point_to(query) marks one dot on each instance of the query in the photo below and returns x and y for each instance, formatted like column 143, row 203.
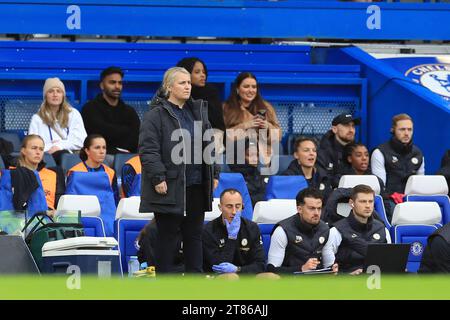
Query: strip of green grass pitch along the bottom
column 312, row 287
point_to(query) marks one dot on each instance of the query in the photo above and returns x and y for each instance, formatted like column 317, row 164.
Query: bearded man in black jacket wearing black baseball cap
column 331, row 150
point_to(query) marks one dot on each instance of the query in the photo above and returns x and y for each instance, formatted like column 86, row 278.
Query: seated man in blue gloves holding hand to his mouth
column 232, row 244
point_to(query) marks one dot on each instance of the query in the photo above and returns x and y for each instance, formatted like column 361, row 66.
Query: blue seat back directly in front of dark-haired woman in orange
column 95, row 183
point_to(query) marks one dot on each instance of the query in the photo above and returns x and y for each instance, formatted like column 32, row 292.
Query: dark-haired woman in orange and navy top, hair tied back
column 92, row 157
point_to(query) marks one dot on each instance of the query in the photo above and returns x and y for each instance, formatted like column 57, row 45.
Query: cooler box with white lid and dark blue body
column 92, row 255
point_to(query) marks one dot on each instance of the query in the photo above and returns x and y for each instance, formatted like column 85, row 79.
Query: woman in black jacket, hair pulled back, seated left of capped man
column 305, row 165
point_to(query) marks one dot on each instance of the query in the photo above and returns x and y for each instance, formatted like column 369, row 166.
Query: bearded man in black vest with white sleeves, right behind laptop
column 350, row 237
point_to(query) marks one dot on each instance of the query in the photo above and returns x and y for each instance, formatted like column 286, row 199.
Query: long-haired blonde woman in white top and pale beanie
column 57, row 122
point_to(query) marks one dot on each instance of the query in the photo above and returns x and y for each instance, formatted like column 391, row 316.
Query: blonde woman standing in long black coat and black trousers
column 177, row 184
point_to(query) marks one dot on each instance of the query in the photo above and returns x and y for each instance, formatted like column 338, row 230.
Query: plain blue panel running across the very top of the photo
column 228, row 19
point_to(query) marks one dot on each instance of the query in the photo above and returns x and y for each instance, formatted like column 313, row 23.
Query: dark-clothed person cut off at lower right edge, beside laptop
column 436, row 257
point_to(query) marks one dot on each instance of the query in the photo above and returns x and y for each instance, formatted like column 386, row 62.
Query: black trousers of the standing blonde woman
column 190, row 226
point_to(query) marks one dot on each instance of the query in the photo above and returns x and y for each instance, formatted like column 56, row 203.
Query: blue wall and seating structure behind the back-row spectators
column 306, row 96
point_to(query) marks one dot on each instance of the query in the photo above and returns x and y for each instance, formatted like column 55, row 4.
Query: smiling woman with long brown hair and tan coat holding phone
column 246, row 110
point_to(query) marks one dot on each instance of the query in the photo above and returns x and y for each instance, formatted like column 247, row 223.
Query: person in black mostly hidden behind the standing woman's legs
column 146, row 243
